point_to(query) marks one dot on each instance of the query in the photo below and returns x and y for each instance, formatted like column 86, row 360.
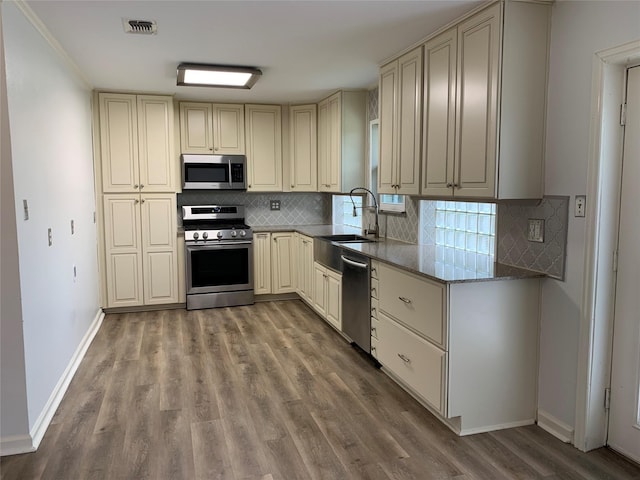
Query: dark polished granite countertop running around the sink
column 439, row 263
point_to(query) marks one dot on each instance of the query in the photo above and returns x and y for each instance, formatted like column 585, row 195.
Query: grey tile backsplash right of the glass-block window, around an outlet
column 514, row 248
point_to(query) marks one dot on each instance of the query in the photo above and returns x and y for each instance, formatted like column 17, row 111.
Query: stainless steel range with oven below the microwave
column 218, row 256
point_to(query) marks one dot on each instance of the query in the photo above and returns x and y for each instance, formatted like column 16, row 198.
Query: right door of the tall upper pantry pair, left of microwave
column 155, row 144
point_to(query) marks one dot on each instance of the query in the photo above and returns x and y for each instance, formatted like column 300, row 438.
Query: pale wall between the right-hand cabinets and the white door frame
column 579, row 29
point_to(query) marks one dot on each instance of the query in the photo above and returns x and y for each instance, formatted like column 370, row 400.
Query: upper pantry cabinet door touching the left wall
column 119, row 142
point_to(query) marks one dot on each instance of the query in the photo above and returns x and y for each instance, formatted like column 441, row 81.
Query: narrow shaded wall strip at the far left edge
column 13, row 387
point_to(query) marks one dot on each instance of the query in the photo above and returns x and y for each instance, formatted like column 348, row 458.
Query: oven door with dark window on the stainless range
column 219, row 268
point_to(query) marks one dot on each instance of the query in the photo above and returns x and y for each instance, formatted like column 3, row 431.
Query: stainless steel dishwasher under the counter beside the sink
column 356, row 298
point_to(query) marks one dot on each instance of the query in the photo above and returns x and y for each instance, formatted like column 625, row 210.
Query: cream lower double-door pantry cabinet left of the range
column 141, row 249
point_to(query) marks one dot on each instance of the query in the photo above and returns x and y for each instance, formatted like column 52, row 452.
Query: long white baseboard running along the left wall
column 44, row 419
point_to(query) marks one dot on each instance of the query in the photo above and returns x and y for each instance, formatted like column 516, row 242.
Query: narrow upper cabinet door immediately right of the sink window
column 388, row 125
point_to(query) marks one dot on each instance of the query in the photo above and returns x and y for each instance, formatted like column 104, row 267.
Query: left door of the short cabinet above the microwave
column 196, row 129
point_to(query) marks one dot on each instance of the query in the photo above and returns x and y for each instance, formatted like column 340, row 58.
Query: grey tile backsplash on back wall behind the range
column 295, row 208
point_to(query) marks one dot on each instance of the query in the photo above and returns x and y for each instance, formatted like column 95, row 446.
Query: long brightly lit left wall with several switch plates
column 51, row 142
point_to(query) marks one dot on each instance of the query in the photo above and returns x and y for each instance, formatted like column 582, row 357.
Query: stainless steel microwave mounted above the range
column 214, row 172
